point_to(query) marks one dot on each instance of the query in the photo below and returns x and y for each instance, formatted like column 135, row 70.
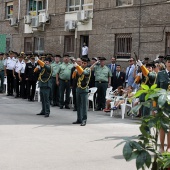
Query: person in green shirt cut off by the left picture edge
column 1, row 72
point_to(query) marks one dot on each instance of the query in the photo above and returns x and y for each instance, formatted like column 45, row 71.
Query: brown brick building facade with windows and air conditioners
column 109, row 28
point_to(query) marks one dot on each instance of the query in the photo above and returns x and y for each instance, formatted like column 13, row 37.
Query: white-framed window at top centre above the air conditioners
column 77, row 5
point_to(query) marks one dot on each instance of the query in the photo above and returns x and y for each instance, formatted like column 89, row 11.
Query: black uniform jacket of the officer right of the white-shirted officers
column 29, row 72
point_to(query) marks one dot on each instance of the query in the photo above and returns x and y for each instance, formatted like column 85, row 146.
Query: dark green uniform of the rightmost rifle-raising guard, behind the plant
column 148, row 80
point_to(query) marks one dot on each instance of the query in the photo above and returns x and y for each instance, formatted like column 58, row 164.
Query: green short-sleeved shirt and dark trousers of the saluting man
column 102, row 75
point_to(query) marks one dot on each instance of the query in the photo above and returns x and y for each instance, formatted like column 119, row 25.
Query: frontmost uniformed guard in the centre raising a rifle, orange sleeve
column 84, row 74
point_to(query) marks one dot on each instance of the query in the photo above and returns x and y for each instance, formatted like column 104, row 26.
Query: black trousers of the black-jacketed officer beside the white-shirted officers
column 30, row 84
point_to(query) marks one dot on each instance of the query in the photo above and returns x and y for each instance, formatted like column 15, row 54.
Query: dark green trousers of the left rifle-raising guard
column 45, row 99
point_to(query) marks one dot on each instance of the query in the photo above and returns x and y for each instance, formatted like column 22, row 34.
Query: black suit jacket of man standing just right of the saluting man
column 117, row 81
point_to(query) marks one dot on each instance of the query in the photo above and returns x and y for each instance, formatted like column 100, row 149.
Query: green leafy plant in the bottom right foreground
column 145, row 145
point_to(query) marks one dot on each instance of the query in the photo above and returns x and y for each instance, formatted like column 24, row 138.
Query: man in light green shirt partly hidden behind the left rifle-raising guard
column 55, row 88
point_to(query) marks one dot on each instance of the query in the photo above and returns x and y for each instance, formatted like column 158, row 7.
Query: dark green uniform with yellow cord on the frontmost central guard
column 82, row 95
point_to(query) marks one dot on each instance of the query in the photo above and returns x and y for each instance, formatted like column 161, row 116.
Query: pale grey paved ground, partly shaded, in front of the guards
column 30, row 142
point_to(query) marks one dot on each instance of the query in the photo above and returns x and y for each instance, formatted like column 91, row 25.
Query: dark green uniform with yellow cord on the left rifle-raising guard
column 45, row 85
